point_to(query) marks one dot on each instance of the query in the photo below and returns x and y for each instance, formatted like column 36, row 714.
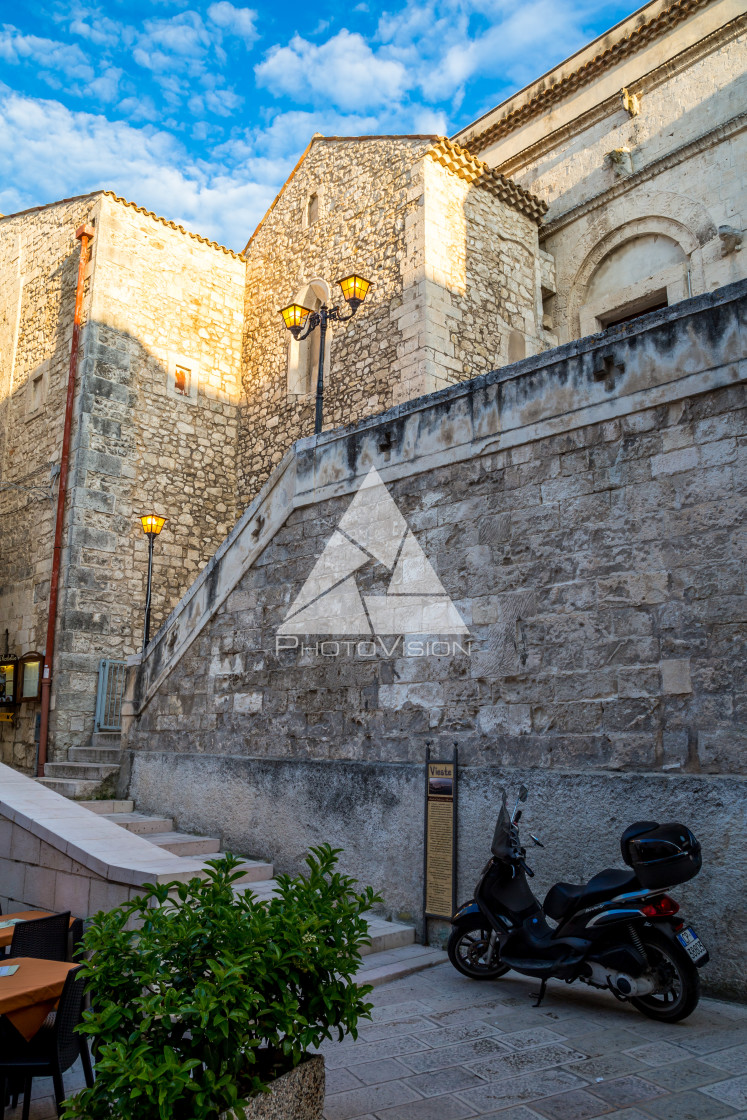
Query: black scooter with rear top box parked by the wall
column 619, row 931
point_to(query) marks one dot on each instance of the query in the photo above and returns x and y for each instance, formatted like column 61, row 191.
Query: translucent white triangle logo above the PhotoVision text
column 373, row 528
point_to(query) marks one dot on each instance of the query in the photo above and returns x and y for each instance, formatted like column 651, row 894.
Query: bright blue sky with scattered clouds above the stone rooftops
column 199, row 111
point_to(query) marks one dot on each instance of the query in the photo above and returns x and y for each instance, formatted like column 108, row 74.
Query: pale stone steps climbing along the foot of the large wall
column 393, row 953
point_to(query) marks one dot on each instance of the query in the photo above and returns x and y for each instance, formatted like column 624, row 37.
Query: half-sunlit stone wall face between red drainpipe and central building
column 161, row 300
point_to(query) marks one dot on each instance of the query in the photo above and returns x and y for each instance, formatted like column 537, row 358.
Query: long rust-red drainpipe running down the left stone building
column 85, row 236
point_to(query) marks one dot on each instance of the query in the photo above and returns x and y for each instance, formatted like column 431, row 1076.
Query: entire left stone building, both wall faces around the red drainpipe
column 156, row 298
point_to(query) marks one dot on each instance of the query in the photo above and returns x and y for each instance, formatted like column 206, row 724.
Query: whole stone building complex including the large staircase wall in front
column 566, row 279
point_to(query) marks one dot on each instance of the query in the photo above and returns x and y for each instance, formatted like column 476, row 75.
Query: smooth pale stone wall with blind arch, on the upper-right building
column 680, row 165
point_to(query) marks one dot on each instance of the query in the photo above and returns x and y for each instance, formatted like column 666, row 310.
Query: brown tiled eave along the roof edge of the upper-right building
column 624, row 49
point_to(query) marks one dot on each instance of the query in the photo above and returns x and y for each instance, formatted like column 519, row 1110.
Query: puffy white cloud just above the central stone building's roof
column 343, row 72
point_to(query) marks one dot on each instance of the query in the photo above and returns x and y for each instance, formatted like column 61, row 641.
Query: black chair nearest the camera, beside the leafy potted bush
column 54, row 1049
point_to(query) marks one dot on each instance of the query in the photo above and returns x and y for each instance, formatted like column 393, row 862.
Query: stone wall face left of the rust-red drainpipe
column 39, row 275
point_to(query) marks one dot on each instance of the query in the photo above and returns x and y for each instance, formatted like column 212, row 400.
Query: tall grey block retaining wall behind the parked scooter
column 582, row 510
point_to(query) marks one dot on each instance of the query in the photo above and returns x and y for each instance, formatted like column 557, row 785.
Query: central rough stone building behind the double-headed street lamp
column 453, row 268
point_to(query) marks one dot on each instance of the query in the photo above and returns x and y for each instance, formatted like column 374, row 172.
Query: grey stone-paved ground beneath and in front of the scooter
column 445, row 1048
